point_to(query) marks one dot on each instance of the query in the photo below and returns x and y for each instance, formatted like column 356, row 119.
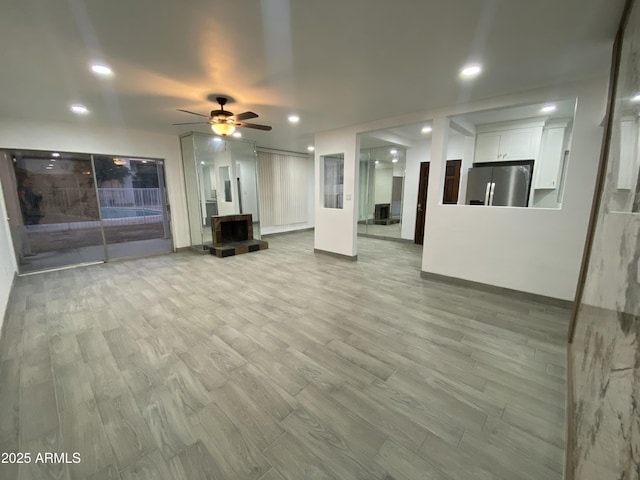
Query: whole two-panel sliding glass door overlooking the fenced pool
column 69, row 209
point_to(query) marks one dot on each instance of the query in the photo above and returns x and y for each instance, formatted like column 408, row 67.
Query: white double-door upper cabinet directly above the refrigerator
column 508, row 145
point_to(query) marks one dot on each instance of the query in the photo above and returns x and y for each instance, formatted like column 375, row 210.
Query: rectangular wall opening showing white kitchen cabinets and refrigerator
column 511, row 157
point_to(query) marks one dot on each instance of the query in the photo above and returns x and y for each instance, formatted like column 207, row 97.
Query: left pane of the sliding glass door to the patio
column 56, row 220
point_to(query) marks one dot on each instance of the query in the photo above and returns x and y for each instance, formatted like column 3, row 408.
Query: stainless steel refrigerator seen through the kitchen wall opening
column 499, row 184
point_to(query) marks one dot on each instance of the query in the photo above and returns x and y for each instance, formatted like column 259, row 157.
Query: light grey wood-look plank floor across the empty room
column 279, row 364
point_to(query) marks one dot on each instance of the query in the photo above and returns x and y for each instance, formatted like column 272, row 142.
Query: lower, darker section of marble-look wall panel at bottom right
column 606, row 356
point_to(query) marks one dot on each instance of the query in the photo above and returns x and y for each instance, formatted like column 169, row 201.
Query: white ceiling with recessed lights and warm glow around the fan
column 333, row 62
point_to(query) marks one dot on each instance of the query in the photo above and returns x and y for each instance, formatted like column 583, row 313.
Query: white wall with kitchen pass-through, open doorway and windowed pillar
column 532, row 250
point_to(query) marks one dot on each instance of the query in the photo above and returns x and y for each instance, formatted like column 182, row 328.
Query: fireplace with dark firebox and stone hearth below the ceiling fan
column 233, row 235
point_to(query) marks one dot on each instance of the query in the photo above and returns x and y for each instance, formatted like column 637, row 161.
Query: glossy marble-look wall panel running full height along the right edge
column 606, row 346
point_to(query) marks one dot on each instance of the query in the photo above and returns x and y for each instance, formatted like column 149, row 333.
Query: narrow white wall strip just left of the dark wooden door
column 421, row 152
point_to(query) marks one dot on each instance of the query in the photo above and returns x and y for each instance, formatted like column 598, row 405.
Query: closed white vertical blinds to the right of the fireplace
column 283, row 182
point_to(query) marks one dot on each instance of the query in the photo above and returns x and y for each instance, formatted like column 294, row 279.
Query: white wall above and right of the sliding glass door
column 78, row 137
